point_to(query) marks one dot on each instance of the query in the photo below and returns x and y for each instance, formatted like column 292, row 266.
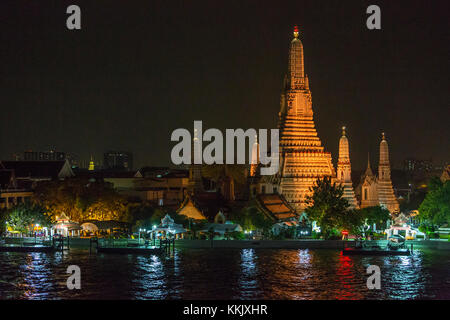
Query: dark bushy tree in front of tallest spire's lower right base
column 327, row 207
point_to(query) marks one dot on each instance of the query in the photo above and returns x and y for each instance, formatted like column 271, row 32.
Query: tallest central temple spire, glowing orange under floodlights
column 302, row 157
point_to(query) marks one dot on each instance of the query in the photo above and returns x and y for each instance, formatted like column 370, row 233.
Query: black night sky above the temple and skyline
column 140, row 69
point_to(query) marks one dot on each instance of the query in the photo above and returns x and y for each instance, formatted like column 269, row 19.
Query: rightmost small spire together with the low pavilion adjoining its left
column 374, row 190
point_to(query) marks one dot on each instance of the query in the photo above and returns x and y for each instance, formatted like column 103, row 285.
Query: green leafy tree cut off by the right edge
column 435, row 208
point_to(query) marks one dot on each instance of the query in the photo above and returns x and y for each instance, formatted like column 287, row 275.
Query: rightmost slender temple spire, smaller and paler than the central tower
column 386, row 194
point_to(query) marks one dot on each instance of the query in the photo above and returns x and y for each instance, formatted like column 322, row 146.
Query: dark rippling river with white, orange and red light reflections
column 224, row 274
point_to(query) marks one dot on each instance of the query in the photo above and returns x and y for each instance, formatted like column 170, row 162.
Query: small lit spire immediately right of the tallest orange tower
column 344, row 171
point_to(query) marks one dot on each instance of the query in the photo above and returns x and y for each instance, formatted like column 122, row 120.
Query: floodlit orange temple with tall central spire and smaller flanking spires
column 302, row 157
